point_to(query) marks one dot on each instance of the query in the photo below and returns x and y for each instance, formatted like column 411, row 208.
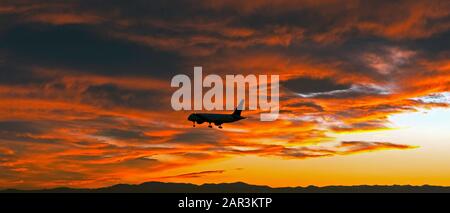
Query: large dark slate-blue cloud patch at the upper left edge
column 78, row 47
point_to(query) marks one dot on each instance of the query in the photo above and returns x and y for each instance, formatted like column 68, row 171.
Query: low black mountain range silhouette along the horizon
column 238, row 187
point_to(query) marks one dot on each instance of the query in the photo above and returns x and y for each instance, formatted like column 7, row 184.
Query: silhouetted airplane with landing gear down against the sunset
column 217, row 119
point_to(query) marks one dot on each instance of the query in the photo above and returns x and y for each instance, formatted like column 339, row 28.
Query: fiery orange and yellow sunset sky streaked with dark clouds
column 85, row 92
